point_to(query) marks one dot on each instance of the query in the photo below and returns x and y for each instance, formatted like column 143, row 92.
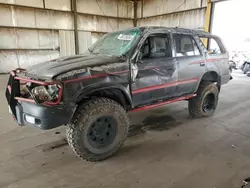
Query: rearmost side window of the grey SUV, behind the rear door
column 213, row 47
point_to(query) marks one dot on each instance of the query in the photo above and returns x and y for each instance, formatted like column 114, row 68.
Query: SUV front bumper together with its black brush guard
column 28, row 112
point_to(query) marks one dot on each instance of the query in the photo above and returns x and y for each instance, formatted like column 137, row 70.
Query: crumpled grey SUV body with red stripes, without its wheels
column 135, row 79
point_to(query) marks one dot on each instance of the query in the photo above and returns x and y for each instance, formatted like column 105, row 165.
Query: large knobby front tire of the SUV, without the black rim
column 86, row 114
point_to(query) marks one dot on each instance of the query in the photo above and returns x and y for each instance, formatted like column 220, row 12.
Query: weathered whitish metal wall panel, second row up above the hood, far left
column 14, row 38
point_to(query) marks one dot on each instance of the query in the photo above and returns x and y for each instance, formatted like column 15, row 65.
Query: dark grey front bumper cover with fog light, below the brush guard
column 45, row 117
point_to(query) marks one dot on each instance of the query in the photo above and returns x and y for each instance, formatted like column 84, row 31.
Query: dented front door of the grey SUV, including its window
column 155, row 74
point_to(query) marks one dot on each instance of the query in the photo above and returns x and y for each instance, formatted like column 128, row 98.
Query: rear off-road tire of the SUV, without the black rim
column 195, row 105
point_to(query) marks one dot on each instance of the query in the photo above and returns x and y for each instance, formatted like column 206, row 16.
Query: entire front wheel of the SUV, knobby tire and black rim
column 98, row 129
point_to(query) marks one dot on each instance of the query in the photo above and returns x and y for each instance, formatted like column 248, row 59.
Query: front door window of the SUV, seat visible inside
column 156, row 46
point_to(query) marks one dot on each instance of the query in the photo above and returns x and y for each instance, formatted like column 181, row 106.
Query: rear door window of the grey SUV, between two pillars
column 185, row 46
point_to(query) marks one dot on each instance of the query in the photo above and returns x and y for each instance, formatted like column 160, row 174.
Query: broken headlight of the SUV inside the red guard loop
column 46, row 93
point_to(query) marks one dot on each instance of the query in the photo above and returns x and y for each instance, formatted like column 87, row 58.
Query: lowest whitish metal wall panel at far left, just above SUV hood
column 10, row 60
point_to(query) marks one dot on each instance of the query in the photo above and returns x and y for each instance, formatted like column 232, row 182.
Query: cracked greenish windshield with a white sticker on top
column 116, row 43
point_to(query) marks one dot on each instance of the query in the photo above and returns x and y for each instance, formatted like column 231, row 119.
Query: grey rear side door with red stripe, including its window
column 191, row 63
